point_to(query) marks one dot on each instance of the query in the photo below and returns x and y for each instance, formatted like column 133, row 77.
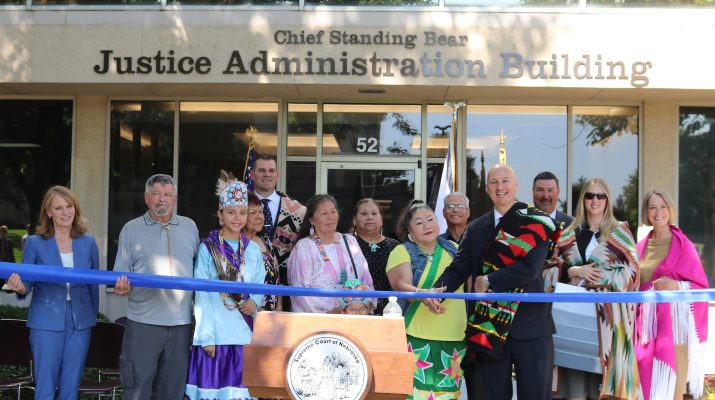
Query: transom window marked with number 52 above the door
column 386, row 130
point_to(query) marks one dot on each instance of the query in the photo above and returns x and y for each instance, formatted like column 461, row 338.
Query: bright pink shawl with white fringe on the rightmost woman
column 659, row 326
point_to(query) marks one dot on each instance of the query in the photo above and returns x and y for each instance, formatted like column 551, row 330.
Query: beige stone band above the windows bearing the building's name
column 65, row 46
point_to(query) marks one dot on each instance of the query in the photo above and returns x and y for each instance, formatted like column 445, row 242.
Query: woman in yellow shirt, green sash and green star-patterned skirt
column 437, row 340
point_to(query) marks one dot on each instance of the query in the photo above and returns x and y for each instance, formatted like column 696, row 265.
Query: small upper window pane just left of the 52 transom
column 302, row 129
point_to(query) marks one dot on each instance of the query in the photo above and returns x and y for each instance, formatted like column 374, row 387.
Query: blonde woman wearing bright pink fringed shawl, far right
column 670, row 337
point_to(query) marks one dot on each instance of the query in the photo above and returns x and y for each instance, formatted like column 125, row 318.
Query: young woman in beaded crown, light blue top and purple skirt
column 224, row 321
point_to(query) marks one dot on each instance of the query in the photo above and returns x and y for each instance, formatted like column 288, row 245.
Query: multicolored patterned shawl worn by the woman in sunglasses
column 618, row 259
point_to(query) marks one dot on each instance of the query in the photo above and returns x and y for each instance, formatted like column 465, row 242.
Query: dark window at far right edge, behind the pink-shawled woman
column 696, row 214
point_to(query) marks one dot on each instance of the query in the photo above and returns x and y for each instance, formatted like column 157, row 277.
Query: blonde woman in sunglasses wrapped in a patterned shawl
column 599, row 251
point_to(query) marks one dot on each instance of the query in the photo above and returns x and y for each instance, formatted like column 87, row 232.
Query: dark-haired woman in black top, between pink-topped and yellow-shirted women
column 367, row 220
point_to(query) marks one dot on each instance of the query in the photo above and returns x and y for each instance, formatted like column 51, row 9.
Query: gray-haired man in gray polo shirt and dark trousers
column 157, row 337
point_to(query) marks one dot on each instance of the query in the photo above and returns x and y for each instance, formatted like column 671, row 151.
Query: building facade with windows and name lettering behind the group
column 351, row 99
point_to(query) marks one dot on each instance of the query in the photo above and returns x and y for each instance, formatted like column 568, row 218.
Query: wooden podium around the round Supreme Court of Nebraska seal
column 276, row 334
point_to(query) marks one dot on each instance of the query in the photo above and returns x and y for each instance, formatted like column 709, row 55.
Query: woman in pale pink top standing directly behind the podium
column 324, row 258
